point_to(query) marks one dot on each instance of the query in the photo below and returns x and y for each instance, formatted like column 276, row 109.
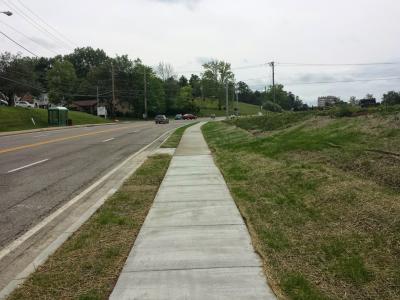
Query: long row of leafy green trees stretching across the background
column 88, row 73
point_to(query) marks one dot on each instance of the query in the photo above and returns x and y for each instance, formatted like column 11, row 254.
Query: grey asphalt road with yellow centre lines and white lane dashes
column 41, row 171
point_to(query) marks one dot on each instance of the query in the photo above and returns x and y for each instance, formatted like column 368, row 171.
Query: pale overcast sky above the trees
column 311, row 41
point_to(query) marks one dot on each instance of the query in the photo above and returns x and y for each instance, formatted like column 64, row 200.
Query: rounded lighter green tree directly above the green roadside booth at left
column 61, row 81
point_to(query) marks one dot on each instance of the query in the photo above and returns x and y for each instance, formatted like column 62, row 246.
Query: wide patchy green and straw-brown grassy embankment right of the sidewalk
column 321, row 197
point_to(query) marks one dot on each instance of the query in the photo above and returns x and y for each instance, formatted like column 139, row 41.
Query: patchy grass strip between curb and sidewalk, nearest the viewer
column 88, row 264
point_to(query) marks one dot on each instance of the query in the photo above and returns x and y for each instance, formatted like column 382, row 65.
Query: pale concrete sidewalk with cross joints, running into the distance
column 193, row 244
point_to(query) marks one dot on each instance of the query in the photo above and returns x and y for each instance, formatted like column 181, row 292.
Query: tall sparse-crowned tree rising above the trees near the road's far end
column 216, row 75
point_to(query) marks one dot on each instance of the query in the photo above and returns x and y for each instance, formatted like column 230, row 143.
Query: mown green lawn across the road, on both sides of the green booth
column 18, row 118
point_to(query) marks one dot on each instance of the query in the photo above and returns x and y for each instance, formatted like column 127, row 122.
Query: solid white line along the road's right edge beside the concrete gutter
column 16, row 243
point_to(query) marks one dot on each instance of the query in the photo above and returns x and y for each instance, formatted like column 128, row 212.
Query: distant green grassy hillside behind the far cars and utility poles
column 209, row 107
